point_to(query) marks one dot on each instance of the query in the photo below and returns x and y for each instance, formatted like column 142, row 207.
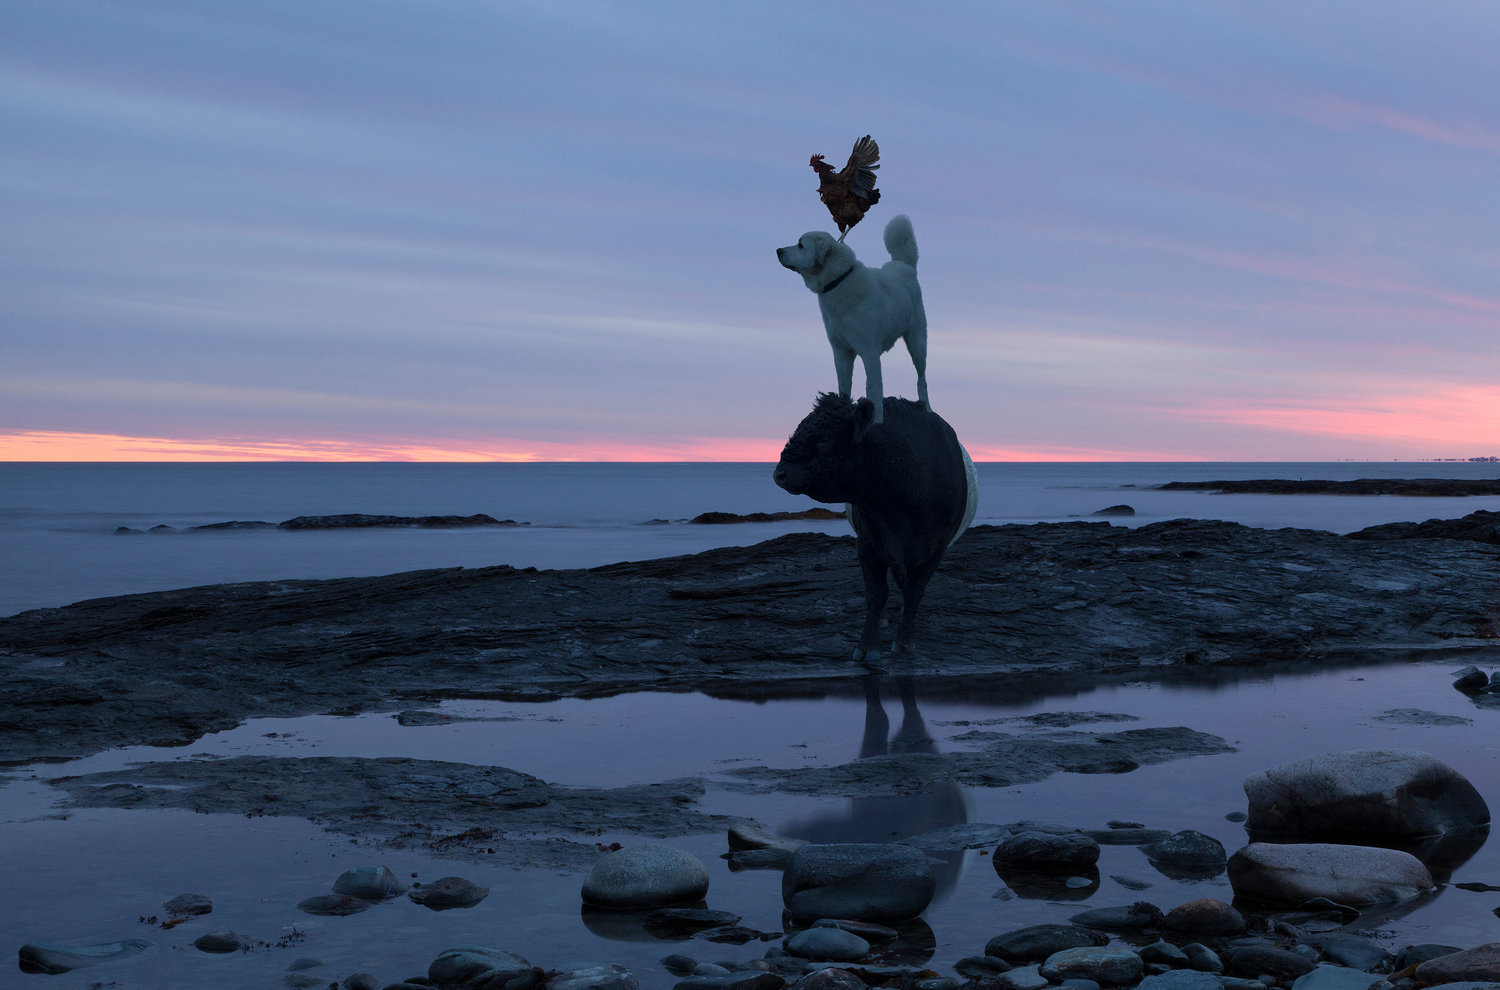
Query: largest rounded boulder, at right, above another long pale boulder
column 1393, row 794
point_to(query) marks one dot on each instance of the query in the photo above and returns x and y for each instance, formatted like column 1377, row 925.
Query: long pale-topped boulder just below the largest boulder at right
column 1294, row 874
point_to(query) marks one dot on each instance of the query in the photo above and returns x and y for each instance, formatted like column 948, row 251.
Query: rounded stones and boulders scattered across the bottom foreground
column 854, row 910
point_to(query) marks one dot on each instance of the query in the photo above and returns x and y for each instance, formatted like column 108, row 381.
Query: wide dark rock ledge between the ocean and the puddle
column 1037, row 604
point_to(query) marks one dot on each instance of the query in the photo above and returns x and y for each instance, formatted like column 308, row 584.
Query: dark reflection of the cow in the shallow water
column 893, row 818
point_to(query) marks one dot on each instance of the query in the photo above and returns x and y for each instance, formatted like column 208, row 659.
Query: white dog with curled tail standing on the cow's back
column 866, row 311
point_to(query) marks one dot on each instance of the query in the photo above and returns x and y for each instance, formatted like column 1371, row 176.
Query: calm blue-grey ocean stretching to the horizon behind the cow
column 59, row 545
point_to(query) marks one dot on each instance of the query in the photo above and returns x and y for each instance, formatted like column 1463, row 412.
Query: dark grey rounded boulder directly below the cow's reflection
column 862, row 881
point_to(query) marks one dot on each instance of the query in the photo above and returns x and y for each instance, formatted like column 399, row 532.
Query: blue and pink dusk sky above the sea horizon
column 497, row 230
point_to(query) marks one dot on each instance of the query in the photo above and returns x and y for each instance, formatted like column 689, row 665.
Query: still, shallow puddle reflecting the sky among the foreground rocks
column 89, row 875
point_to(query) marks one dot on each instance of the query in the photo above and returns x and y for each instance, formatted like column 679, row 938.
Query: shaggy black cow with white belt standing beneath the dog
column 910, row 488
